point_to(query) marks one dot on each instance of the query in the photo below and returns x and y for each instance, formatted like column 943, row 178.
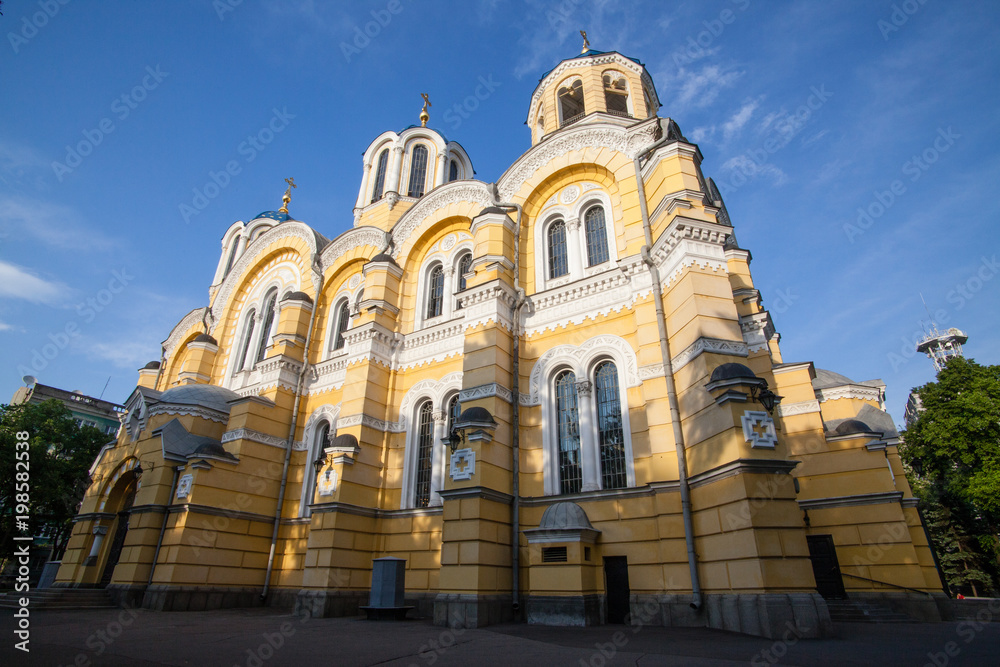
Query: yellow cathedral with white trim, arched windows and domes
column 556, row 398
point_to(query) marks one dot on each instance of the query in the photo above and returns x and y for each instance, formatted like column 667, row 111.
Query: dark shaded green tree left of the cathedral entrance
column 61, row 454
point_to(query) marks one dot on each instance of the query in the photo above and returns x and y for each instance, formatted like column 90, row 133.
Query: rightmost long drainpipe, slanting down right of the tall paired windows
column 661, row 323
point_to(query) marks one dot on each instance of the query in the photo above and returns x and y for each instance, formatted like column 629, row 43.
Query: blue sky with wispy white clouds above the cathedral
column 116, row 115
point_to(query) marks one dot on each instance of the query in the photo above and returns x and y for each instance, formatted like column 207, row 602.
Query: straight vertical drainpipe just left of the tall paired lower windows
column 516, row 401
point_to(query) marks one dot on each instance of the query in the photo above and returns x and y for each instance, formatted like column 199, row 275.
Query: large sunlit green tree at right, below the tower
column 953, row 452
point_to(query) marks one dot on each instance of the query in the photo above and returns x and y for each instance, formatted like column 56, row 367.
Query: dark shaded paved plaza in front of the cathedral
column 267, row 637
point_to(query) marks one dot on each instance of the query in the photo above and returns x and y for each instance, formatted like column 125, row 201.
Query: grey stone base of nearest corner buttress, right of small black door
column 771, row 615
